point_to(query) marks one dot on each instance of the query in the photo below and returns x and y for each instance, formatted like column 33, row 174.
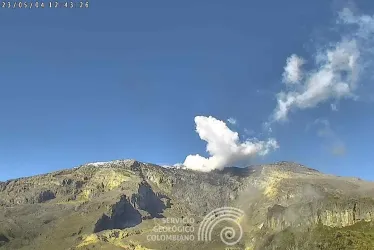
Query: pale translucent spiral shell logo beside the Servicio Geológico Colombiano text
column 229, row 235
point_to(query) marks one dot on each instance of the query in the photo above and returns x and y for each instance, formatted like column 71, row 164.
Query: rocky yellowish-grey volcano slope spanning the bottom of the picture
column 119, row 204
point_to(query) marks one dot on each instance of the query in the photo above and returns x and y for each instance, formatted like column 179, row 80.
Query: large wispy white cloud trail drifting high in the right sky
column 337, row 71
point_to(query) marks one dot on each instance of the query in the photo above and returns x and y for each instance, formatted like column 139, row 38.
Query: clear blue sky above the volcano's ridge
column 126, row 79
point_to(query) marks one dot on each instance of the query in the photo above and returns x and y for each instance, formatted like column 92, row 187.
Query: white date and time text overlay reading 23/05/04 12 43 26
column 44, row 4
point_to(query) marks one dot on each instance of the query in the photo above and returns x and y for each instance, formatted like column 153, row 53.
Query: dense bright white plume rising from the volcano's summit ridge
column 224, row 147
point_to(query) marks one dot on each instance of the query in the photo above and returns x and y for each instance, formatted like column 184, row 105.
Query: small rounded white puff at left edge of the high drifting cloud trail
column 292, row 71
